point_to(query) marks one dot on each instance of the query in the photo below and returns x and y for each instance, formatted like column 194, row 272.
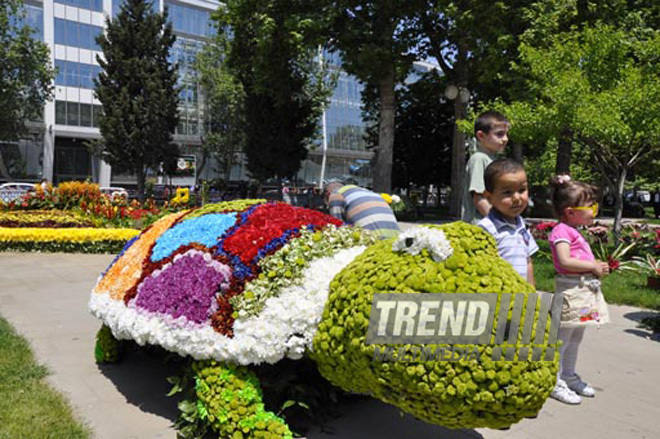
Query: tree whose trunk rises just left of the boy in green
column 474, row 42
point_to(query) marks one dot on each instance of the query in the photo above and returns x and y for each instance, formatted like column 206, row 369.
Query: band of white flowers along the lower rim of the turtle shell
column 285, row 327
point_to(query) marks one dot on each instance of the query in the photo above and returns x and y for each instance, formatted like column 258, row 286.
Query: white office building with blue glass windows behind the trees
column 56, row 146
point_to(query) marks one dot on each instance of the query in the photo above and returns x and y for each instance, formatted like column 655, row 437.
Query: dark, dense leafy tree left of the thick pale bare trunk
column 273, row 55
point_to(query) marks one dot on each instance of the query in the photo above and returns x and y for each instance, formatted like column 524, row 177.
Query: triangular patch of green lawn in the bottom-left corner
column 29, row 407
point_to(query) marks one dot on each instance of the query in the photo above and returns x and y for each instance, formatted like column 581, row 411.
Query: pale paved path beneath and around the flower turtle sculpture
column 44, row 296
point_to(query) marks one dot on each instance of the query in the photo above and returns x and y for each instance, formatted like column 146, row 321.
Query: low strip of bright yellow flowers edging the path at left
column 71, row 240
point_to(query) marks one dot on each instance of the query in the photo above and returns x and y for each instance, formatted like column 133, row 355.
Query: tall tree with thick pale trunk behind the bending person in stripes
column 377, row 44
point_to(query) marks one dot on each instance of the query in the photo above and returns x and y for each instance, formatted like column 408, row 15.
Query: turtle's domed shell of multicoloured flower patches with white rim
column 179, row 283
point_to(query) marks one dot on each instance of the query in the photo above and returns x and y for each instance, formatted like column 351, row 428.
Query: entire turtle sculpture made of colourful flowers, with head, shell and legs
column 247, row 282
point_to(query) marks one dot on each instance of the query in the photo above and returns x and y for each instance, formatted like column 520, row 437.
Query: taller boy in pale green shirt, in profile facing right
column 491, row 130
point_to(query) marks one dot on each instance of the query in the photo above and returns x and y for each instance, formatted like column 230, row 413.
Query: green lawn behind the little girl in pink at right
column 620, row 288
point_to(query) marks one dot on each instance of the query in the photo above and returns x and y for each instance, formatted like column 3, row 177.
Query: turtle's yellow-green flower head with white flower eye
column 470, row 393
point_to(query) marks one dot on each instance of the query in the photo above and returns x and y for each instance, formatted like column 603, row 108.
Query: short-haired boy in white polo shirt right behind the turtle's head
column 507, row 191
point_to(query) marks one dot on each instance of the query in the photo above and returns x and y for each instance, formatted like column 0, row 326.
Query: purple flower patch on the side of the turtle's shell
column 185, row 287
